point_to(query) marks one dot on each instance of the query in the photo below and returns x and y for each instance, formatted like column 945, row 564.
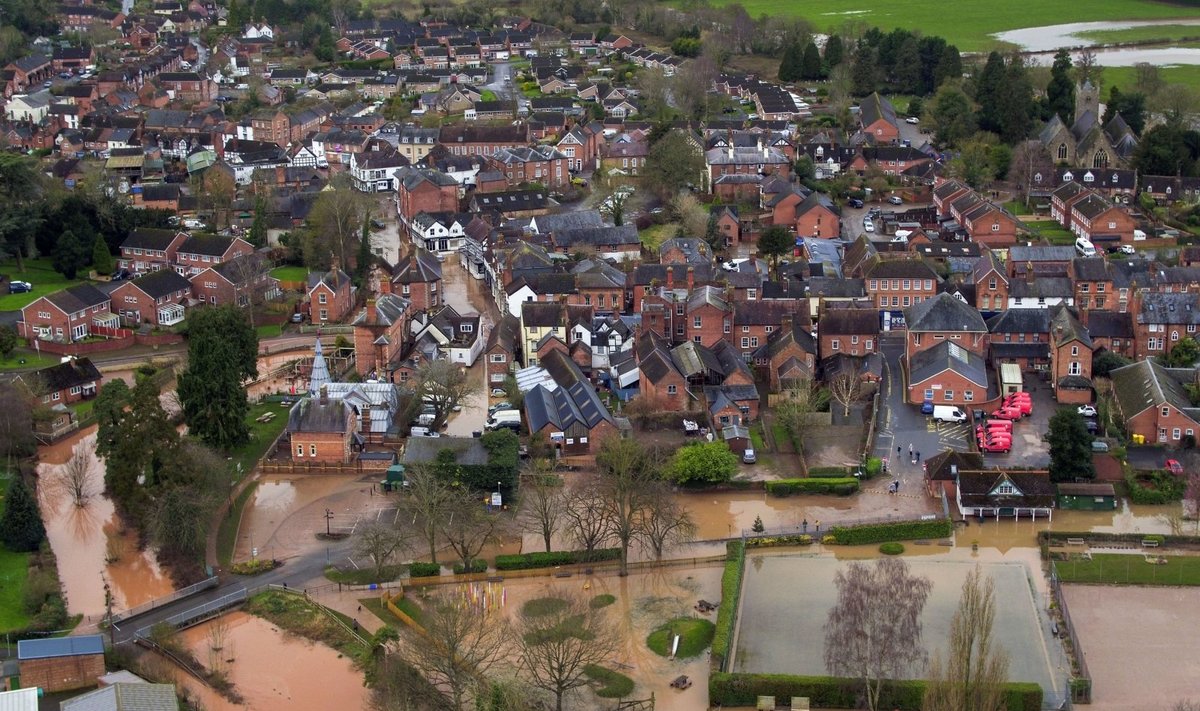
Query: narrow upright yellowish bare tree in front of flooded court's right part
column 975, row 672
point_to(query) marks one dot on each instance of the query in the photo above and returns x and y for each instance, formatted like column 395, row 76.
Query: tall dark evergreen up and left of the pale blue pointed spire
column 223, row 352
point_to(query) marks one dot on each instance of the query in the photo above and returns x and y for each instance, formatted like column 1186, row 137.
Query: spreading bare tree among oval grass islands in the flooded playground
column 556, row 648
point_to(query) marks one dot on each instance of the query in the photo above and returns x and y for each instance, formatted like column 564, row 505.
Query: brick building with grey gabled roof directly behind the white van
column 947, row 374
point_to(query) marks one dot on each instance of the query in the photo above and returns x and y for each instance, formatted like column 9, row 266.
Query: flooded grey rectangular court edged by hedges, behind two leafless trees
column 787, row 601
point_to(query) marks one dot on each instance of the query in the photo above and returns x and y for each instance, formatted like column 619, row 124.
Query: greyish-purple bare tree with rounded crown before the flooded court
column 874, row 631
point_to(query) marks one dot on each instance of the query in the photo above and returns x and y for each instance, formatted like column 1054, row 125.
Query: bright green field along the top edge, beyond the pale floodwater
column 969, row 23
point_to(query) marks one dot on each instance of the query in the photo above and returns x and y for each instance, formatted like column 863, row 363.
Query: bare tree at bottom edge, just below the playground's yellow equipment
column 461, row 644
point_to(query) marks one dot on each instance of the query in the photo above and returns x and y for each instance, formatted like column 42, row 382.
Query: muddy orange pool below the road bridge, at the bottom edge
column 251, row 652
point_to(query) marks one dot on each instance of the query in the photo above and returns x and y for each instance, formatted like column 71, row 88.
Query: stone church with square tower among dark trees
column 1088, row 144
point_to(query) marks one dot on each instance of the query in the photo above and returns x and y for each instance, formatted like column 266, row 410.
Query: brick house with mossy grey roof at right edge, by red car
column 1154, row 403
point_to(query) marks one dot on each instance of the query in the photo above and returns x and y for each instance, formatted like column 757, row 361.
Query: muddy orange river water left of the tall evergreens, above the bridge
column 86, row 537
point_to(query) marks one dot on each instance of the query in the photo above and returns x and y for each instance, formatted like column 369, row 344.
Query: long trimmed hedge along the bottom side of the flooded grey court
column 825, row 692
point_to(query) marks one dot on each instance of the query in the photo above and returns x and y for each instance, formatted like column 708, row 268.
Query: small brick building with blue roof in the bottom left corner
column 62, row 664
